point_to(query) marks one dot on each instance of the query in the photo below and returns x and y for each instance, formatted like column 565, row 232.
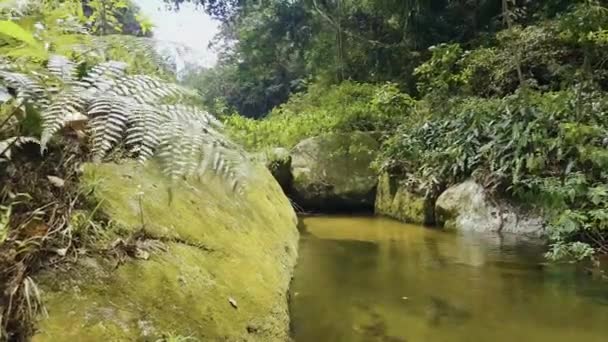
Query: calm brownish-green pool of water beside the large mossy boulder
column 373, row 279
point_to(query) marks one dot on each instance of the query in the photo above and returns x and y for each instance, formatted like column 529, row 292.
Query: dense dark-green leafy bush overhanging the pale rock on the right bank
column 543, row 148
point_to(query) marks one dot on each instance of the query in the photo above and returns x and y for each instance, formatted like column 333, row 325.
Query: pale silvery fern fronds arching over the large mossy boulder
column 137, row 113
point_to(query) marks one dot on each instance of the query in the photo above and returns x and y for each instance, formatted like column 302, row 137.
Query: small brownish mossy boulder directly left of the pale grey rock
column 396, row 200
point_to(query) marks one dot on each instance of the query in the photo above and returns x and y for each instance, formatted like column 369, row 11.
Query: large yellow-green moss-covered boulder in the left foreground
column 218, row 268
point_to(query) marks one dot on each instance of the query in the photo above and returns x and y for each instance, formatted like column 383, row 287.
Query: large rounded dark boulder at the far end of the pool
column 333, row 172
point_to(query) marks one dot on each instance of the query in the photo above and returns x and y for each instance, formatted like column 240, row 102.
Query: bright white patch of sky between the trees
column 187, row 32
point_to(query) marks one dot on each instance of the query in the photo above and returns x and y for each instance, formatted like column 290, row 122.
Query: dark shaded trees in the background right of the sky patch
column 272, row 49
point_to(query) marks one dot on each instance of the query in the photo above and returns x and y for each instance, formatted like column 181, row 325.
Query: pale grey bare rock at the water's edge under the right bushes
column 467, row 207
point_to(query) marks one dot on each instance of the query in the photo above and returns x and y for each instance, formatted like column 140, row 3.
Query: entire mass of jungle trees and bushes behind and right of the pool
column 511, row 92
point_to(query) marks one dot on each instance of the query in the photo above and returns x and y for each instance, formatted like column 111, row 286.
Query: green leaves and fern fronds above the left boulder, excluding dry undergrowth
column 144, row 115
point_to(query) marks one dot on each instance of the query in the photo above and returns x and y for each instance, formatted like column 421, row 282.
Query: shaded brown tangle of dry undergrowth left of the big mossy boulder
column 39, row 195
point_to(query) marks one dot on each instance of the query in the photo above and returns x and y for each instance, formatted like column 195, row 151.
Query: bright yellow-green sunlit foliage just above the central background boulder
column 344, row 108
